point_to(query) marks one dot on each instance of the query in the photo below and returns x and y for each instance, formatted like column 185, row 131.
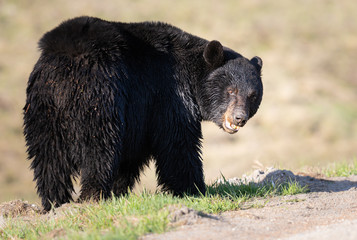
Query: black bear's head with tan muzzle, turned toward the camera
column 232, row 92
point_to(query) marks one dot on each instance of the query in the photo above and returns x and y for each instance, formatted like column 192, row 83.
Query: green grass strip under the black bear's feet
column 134, row 215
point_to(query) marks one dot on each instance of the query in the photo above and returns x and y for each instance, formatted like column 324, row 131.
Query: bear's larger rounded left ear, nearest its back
column 213, row 53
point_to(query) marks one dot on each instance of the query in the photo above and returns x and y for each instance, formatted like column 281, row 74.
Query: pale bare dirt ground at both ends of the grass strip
column 328, row 211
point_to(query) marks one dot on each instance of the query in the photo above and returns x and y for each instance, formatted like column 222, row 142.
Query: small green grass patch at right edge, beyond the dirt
column 343, row 169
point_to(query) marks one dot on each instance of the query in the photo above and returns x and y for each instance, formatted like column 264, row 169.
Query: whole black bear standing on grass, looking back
column 106, row 97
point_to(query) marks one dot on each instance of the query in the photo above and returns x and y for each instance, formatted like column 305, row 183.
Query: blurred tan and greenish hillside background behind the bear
column 308, row 117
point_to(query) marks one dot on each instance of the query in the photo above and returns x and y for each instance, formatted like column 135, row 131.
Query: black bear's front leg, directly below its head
column 178, row 161
